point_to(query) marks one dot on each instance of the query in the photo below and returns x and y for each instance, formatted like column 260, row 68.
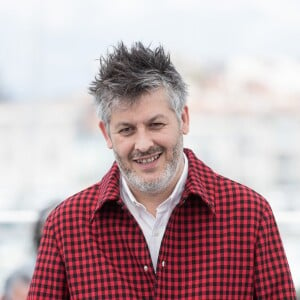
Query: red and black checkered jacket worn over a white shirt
column 221, row 242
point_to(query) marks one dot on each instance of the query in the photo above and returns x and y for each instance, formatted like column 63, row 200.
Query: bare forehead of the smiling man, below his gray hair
column 145, row 106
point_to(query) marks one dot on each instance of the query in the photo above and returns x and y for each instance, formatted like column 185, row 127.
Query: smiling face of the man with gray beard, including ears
column 147, row 141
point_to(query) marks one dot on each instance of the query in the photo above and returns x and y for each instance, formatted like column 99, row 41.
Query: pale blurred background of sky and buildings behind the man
column 241, row 60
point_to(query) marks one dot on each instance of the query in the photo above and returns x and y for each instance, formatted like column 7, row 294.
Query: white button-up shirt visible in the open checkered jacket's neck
column 154, row 227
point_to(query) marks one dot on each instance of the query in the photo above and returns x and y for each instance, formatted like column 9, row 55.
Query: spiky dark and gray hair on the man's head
column 127, row 73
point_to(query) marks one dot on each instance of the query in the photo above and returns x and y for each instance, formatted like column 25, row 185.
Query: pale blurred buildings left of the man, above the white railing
column 48, row 150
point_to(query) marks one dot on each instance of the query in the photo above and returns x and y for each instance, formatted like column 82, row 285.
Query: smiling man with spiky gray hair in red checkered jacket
column 160, row 224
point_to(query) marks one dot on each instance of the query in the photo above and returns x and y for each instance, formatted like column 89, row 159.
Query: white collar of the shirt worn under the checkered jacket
column 172, row 200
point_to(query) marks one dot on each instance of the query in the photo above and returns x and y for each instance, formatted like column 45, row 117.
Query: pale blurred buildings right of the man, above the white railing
column 245, row 112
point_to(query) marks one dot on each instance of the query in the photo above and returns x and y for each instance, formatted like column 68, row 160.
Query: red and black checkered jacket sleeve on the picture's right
column 272, row 274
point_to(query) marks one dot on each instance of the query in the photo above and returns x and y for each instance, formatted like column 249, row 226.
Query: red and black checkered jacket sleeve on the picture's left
column 49, row 278
